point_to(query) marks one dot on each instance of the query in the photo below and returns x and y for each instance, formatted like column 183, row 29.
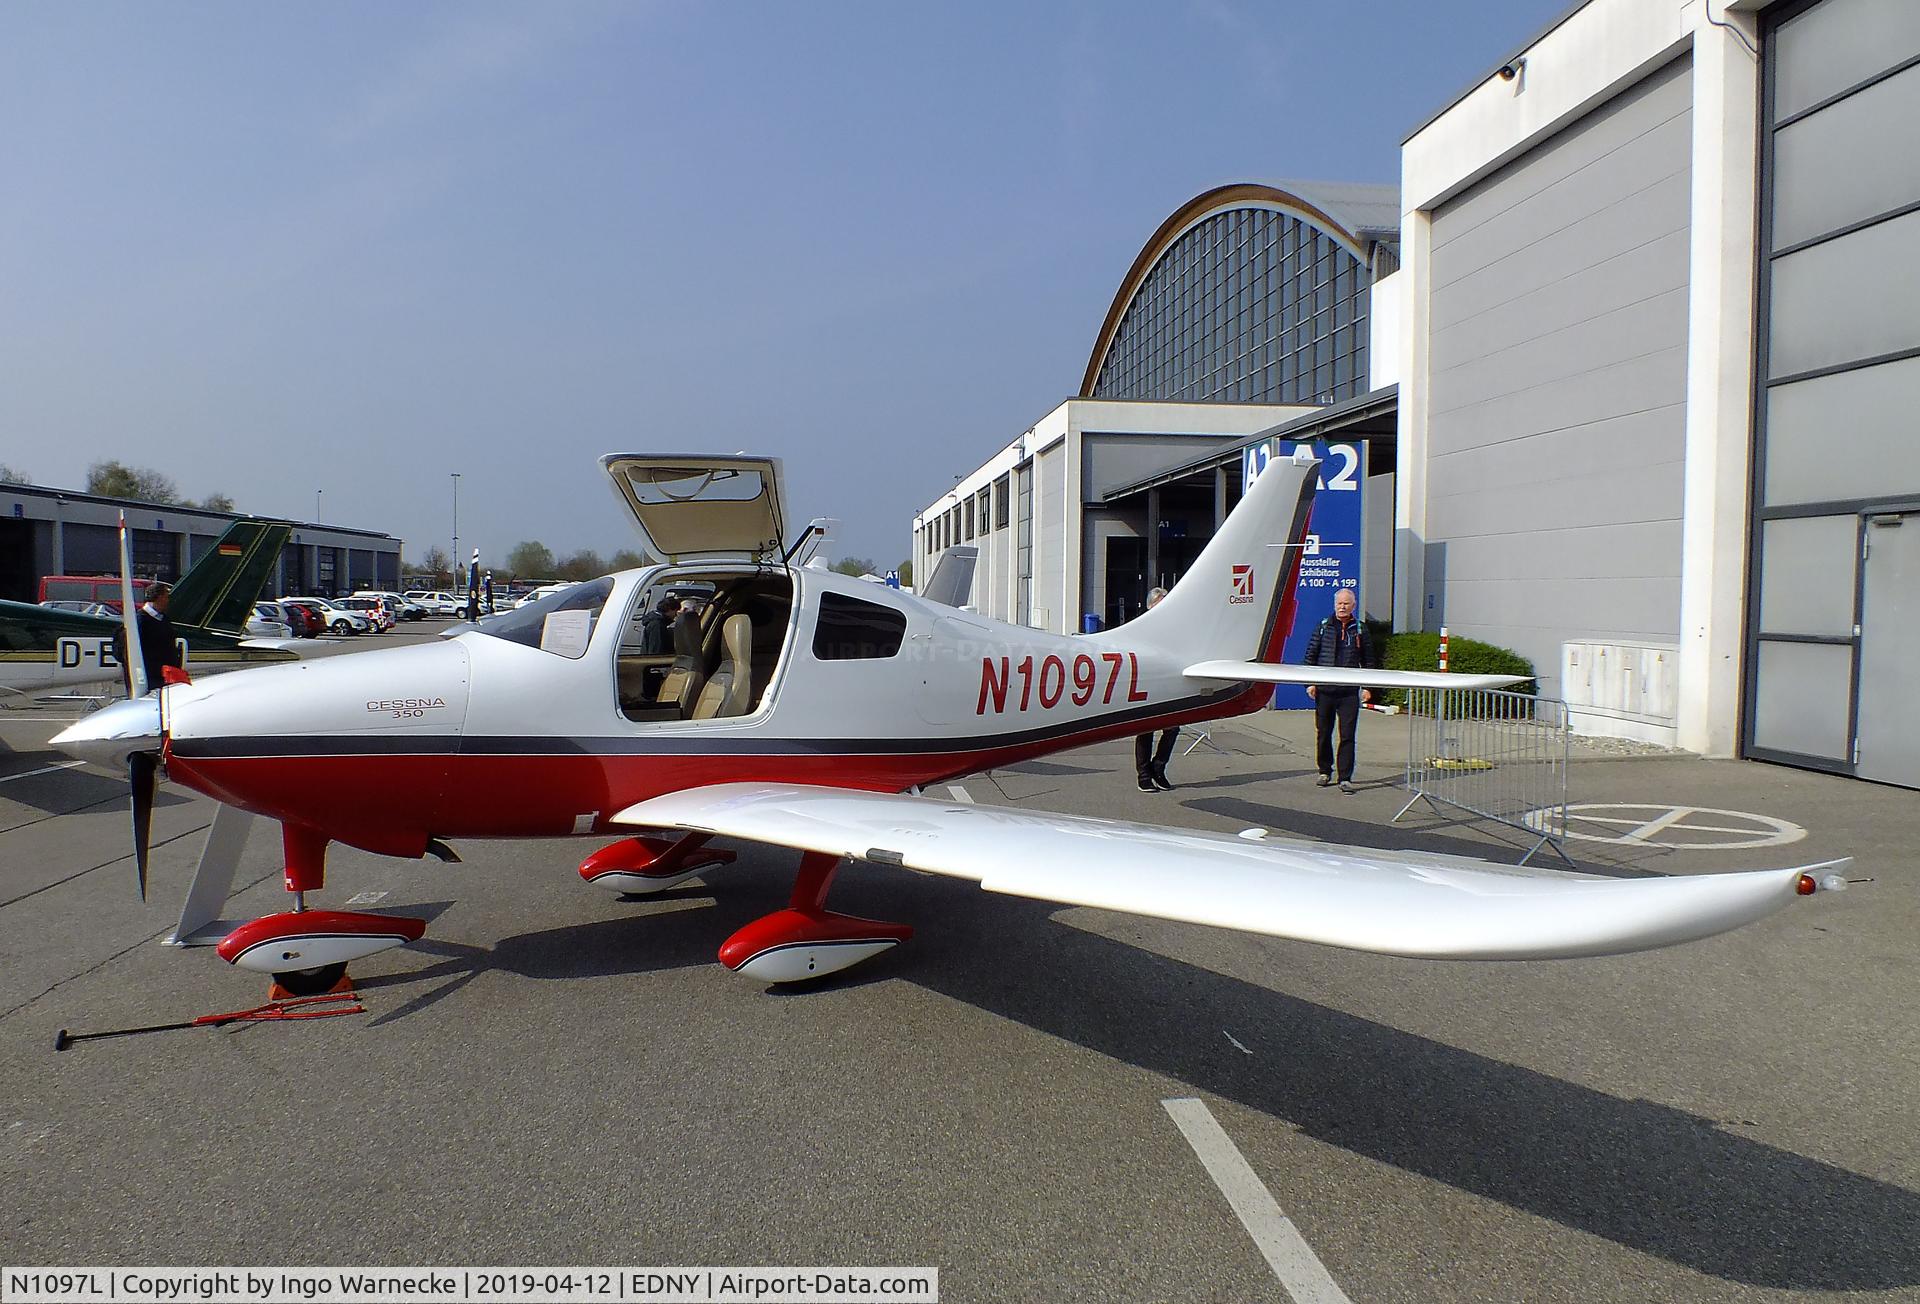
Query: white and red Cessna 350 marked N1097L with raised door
column 805, row 710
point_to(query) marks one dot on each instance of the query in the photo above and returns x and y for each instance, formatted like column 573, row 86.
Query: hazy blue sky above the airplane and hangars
column 358, row 247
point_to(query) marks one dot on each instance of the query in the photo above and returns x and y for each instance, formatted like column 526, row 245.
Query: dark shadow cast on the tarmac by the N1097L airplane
column 1643, row 1174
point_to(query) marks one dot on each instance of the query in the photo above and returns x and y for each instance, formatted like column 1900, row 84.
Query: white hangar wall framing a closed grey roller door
column 1575, row 431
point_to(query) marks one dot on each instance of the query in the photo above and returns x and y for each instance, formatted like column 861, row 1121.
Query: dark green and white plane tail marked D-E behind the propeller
column 45, row 650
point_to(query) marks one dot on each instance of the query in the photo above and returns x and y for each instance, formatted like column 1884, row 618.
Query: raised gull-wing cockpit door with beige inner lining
column 702, row 508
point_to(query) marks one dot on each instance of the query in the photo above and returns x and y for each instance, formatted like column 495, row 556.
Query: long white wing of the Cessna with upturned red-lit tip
column 1387, row 902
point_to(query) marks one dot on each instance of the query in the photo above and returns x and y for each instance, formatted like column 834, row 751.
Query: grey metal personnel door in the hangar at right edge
column 1890, row 633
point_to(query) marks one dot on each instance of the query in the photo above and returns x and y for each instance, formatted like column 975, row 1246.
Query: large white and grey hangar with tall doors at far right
column 1660, row 362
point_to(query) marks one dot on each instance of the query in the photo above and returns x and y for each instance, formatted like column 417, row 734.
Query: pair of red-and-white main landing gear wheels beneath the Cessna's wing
column 784, row 948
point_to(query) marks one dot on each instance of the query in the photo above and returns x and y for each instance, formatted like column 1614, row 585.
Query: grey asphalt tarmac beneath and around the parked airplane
column 556, row 1076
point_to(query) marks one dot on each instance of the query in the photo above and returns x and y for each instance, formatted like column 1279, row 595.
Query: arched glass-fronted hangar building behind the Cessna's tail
column 1253, row 306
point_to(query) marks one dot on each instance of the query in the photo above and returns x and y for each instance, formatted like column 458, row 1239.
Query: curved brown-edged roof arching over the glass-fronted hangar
column 1353, row 214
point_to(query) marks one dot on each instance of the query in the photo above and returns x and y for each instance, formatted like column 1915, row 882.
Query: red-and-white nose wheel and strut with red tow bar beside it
column 308, row 952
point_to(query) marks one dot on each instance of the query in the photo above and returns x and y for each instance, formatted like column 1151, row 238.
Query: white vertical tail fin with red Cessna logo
column 1237, row 600
